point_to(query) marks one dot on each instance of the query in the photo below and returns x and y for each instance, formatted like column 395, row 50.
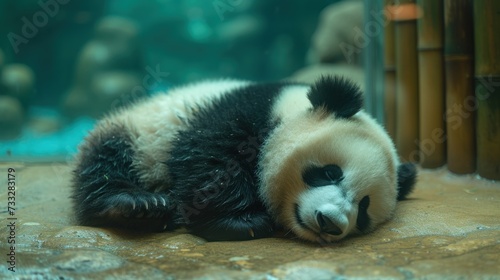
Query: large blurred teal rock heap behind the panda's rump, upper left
column 107, row 70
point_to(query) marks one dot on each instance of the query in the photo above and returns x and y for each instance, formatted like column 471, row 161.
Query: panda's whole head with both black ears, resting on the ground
column 330, row 170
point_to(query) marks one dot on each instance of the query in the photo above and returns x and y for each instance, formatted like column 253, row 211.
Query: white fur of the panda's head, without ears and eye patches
column 358, row 145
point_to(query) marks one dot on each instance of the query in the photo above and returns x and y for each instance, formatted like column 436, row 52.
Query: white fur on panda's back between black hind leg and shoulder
column 154, row 123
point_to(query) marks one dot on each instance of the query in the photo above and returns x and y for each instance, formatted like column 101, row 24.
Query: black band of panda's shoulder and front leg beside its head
column 213, row 166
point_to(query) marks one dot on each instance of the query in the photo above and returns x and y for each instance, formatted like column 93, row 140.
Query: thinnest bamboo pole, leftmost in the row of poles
column 389, row 73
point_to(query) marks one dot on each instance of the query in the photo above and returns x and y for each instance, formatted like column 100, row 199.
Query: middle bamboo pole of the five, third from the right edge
column 431, row 88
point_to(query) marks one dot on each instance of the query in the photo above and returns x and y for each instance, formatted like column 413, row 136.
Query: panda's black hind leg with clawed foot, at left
column 106, row 190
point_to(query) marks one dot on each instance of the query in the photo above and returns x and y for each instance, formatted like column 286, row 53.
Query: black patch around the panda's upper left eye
column 315, row 176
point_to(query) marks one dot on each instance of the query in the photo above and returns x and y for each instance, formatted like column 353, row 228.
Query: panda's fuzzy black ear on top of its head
column 337, row 94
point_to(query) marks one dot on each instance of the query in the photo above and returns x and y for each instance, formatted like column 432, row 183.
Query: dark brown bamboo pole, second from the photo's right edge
column 458, row 54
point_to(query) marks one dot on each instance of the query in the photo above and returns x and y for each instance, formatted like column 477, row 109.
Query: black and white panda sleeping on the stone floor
column 236, row 160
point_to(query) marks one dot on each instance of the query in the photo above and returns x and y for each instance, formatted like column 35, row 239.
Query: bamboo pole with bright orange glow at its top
column 406, row 80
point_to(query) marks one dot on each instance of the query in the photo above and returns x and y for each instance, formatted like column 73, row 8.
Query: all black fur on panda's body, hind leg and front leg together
column 212, row 169
